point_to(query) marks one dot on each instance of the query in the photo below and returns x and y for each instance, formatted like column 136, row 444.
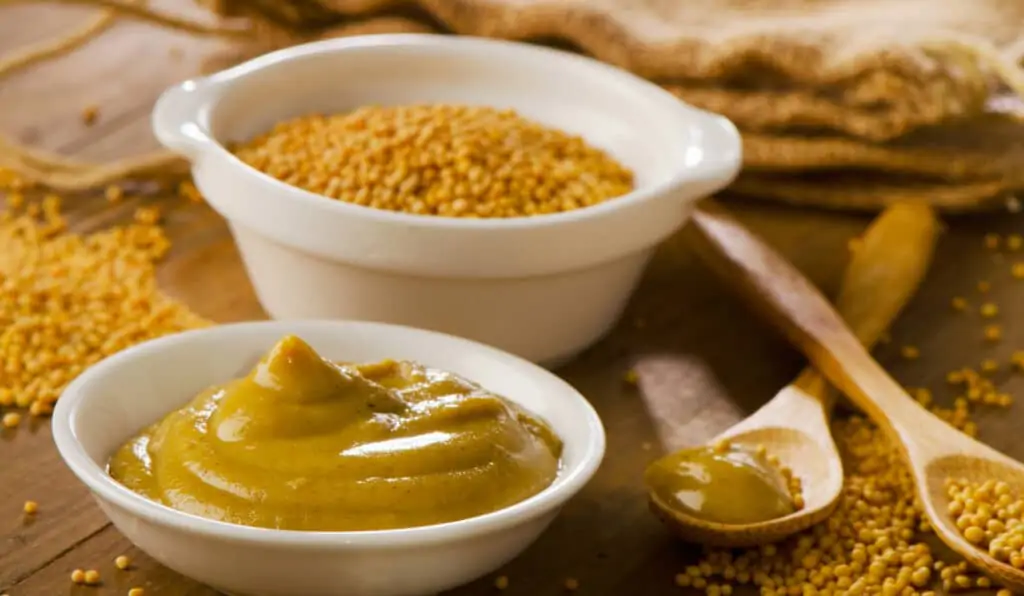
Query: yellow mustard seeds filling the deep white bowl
column 455, row 161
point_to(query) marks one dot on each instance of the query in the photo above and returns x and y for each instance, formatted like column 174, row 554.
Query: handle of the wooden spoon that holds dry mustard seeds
column 794, row 306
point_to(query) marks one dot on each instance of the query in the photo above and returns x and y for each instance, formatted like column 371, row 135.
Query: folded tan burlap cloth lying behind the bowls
column 890, row 97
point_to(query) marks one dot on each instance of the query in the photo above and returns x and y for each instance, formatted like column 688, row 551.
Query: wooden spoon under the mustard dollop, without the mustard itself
column 884, row 272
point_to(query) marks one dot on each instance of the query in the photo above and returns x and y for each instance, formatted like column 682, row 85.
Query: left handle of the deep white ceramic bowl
column 176, row 118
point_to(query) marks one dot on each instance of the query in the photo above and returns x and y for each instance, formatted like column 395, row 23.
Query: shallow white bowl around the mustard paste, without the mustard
column 116, row 399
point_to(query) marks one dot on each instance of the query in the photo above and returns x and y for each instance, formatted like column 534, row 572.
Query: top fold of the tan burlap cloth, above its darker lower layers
column 875, row 69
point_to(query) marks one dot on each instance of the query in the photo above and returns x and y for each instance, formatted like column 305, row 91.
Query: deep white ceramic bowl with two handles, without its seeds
column 544, row 288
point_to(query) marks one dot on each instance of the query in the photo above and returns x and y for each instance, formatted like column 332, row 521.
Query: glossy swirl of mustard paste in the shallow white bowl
column 309, row 445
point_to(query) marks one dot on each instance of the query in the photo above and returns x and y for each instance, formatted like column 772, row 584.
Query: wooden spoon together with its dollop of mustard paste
column 733, row 493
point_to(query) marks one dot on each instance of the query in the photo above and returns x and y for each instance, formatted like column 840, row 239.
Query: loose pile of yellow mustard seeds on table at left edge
column 69, row 301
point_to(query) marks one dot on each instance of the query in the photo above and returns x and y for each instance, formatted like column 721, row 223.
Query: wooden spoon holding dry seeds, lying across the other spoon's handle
column 933, row 450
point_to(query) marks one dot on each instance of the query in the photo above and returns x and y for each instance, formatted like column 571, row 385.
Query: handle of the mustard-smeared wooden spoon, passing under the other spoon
column 886, row 268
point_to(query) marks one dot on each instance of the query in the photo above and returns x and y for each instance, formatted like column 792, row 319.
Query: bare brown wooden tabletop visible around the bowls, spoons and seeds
column 703, row 362
